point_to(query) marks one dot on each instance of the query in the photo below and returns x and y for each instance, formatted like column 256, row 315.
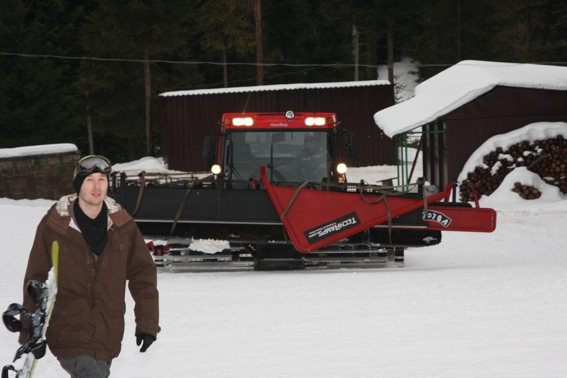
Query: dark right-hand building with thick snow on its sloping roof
column 457, row 110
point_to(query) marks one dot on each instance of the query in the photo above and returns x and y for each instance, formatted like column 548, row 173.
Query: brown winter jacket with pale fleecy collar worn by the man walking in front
column 88, row 317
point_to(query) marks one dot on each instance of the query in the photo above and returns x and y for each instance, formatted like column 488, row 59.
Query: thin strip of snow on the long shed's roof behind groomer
column 277, row 87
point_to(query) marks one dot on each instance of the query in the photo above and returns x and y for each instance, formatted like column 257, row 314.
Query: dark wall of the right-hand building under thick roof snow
column 498, row 111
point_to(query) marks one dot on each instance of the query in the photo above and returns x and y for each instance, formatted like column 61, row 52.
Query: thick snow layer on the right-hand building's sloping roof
column 463, row 83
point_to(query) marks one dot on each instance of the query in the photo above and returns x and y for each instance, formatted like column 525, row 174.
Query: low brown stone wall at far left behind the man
column 47, row 176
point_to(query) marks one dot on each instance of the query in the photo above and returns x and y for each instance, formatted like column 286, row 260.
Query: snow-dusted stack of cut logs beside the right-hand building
column 547, row 158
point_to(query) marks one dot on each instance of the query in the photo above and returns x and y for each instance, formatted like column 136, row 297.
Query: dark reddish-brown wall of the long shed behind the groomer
column 186, row 120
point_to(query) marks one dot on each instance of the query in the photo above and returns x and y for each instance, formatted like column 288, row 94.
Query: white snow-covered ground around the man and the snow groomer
column 477, row 305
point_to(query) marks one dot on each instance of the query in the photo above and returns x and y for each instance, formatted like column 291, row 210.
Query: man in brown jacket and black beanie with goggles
column 100, row 249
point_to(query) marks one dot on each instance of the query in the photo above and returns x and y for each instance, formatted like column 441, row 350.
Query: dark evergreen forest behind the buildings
column 74, row 68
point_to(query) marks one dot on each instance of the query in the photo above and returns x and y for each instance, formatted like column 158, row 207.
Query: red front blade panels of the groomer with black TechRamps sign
column 316, row 218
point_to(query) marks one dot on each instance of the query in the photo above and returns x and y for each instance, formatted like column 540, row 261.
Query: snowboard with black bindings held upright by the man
column 43, row 294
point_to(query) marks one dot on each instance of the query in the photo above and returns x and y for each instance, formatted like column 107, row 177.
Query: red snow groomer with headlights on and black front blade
column 278, row 198
